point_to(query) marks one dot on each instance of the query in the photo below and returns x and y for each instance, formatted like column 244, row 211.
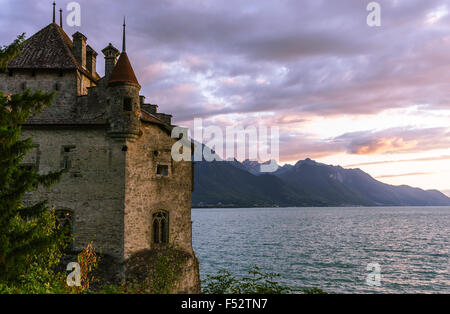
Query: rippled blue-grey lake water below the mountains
column 330, row 248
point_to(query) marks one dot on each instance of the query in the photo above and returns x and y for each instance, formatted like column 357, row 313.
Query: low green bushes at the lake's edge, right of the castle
column 257, row 282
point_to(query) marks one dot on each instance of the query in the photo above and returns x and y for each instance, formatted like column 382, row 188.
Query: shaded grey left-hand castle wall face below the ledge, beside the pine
column 93, row 188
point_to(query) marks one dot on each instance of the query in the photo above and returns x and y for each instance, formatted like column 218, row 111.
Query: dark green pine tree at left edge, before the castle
column 26, row 232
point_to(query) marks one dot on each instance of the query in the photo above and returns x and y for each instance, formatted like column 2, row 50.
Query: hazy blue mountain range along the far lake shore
column 307, row 183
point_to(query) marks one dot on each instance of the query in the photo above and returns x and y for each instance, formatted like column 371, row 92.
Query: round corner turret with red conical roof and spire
column 123, row 97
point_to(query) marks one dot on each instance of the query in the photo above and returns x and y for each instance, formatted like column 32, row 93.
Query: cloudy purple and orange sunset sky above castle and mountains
column 340, row 92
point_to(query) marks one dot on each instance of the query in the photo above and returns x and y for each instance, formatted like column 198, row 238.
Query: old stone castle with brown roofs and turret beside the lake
column 121, row 189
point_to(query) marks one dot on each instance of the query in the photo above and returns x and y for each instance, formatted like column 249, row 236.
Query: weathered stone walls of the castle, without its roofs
column 111, row 187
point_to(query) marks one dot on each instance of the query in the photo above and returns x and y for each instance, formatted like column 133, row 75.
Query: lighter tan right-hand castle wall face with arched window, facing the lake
column 147, row 192
